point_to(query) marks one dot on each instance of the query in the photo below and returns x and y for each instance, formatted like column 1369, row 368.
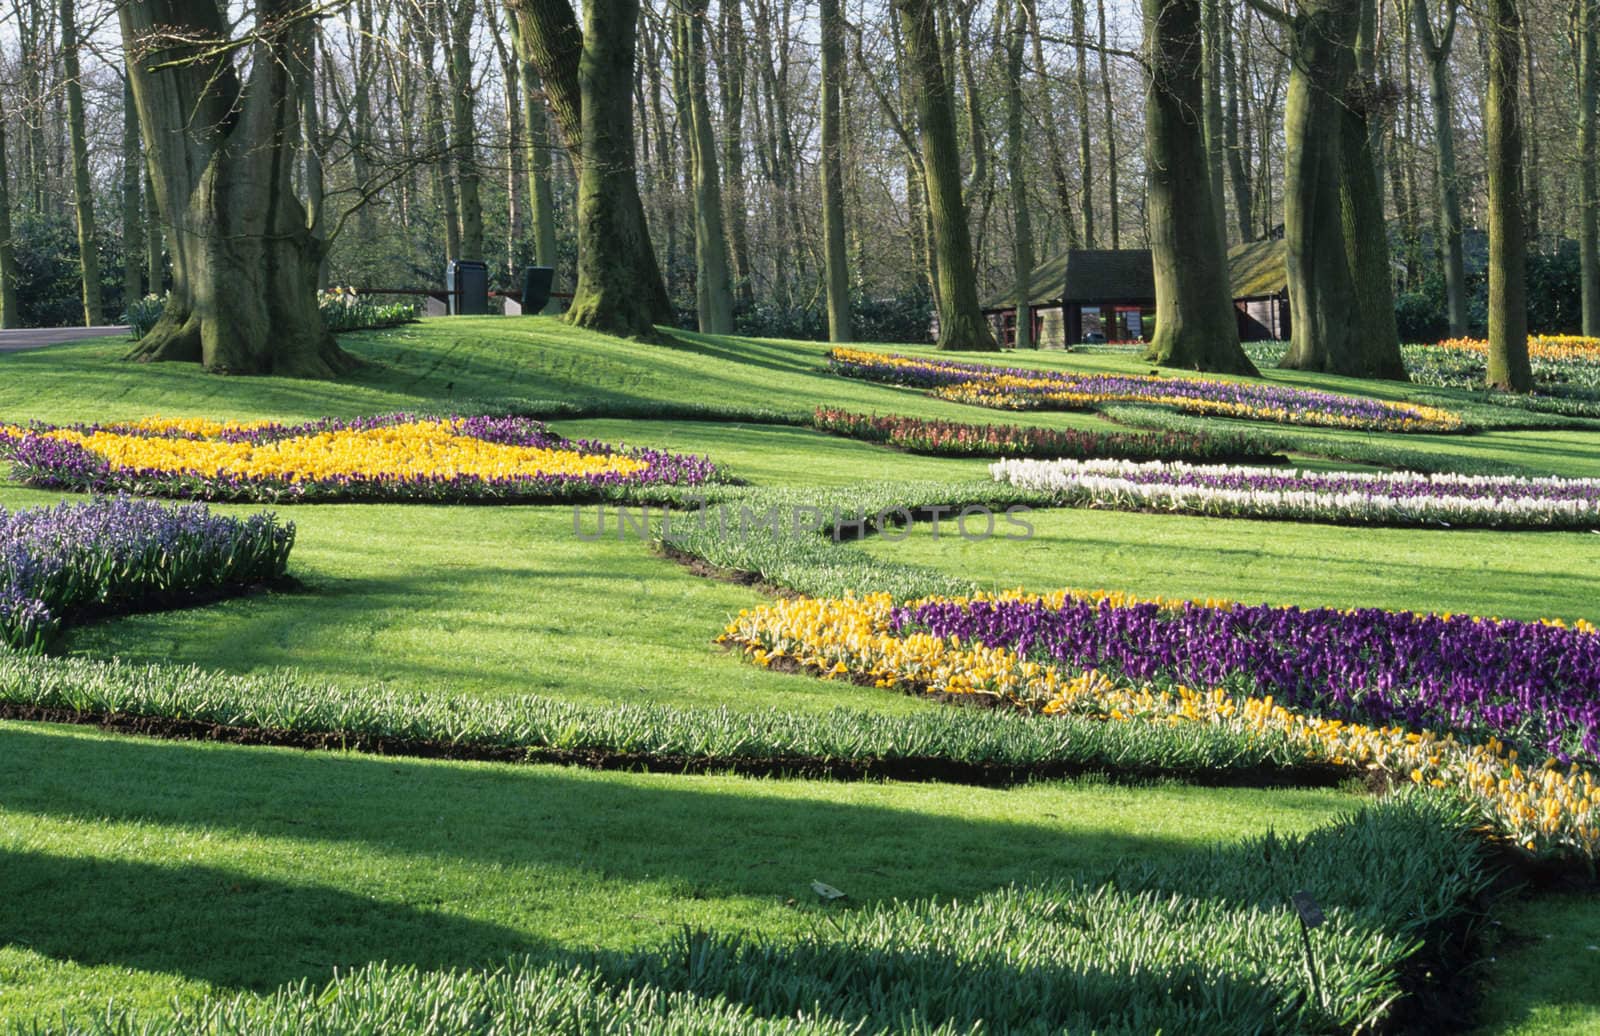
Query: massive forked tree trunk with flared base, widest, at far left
column 222, row 153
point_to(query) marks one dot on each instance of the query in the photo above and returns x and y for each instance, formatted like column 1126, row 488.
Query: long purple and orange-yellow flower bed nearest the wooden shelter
column 1030, row 389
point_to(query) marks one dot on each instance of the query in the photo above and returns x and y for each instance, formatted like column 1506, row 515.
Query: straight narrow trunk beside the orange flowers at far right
column 1508, row 364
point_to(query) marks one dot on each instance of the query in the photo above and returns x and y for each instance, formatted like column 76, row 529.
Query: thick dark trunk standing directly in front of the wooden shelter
column 1194, row 316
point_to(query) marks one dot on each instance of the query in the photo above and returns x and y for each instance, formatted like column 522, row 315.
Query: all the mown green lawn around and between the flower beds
column 143, row 871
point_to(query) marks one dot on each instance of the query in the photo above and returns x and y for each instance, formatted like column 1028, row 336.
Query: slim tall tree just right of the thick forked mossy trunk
column 713, row 276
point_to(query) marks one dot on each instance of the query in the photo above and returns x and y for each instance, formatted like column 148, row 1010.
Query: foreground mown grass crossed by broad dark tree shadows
column 140, row 871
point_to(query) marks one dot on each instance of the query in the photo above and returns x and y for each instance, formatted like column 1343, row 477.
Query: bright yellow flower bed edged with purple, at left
column 390, row 458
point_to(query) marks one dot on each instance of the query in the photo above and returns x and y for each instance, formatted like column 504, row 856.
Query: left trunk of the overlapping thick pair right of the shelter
column 1322, row 293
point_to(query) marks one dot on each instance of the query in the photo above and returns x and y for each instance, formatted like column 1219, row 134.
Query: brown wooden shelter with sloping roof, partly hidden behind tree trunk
column 1110, row 297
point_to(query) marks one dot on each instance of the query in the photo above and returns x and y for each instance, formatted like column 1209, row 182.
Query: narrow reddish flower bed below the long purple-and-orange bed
column 950, row 439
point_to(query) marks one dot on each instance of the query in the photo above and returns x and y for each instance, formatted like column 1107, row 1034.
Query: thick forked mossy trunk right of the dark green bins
column 570, row 68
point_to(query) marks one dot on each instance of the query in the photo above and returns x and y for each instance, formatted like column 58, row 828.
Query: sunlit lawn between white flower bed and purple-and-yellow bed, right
column 1508, row 575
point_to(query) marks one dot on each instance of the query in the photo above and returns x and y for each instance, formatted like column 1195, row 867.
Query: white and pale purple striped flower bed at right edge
column 1481, row 501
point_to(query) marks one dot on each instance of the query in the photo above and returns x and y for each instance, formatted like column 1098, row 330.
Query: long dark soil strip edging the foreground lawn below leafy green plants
column 900, row 768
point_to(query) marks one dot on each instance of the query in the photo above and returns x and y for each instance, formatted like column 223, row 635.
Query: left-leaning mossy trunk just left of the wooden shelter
column 962, row 324
